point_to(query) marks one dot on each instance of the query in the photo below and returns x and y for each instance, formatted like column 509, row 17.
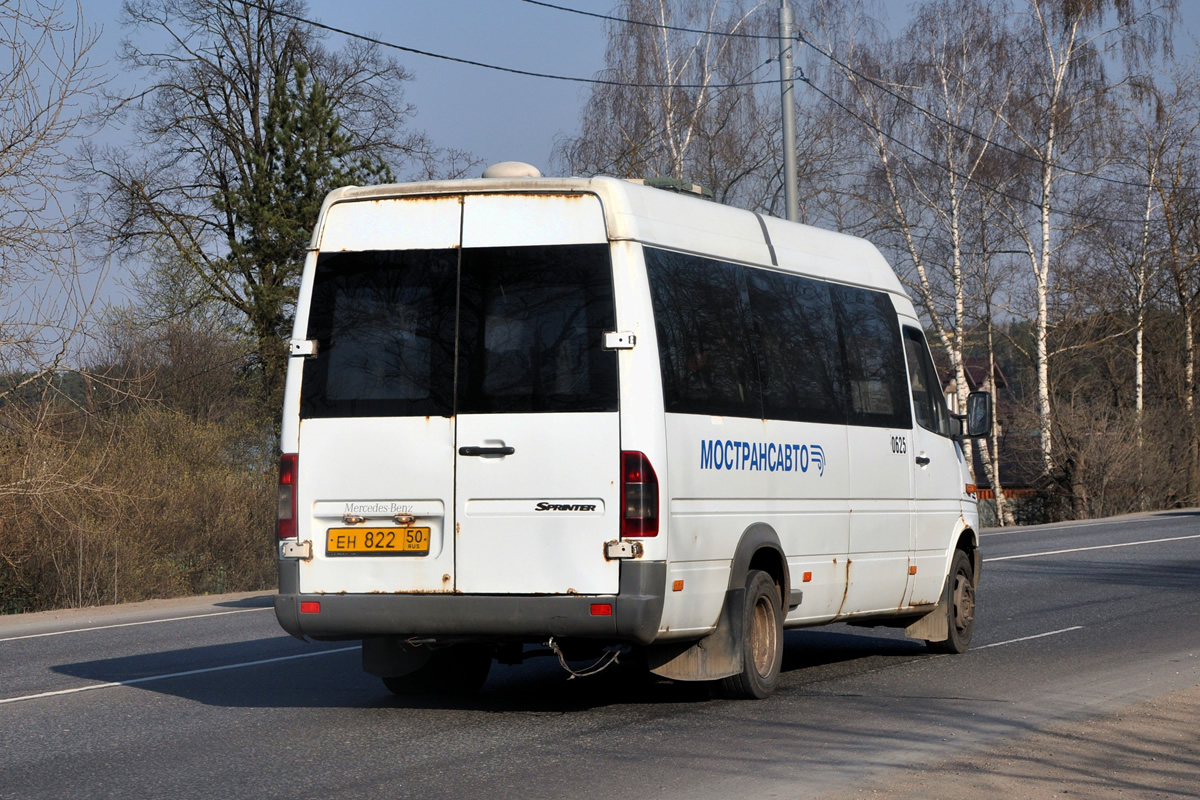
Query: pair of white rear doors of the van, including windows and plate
column 459, row 424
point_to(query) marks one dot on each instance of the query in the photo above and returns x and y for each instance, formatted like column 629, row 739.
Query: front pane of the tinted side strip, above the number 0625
column 874, row 356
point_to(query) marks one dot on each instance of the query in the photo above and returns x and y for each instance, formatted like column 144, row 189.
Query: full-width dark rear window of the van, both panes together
column 527, row 324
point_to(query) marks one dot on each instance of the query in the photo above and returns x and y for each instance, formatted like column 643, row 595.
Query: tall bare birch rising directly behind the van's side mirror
column 928, row 106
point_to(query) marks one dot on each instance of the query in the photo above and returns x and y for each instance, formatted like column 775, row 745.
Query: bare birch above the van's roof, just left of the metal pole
column 680, row 103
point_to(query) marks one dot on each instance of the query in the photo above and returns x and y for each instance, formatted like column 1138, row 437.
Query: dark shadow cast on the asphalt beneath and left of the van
column 285, row 673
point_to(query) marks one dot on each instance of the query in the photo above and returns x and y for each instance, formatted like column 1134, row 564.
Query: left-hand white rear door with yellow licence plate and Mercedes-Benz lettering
column 376, row 446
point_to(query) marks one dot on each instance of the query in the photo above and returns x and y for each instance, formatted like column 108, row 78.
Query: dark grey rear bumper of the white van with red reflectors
column 637, row 612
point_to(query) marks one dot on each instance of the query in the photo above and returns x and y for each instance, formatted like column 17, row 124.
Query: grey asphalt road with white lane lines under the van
column 208, row 699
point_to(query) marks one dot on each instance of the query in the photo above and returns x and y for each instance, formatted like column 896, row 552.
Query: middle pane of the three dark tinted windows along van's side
column 797, row 346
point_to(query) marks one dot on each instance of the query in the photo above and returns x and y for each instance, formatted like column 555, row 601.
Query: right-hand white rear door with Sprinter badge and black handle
column 538, row 431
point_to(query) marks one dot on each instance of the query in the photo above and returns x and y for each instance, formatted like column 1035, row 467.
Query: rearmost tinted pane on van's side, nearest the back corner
column 704, row 332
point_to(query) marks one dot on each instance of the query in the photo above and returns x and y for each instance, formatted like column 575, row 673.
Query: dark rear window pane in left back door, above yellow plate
column 385, row 330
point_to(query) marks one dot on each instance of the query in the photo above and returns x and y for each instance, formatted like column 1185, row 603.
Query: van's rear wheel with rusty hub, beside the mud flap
column 763, row 641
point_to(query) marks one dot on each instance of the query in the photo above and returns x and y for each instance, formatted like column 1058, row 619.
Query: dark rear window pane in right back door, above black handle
column 533, row 324
